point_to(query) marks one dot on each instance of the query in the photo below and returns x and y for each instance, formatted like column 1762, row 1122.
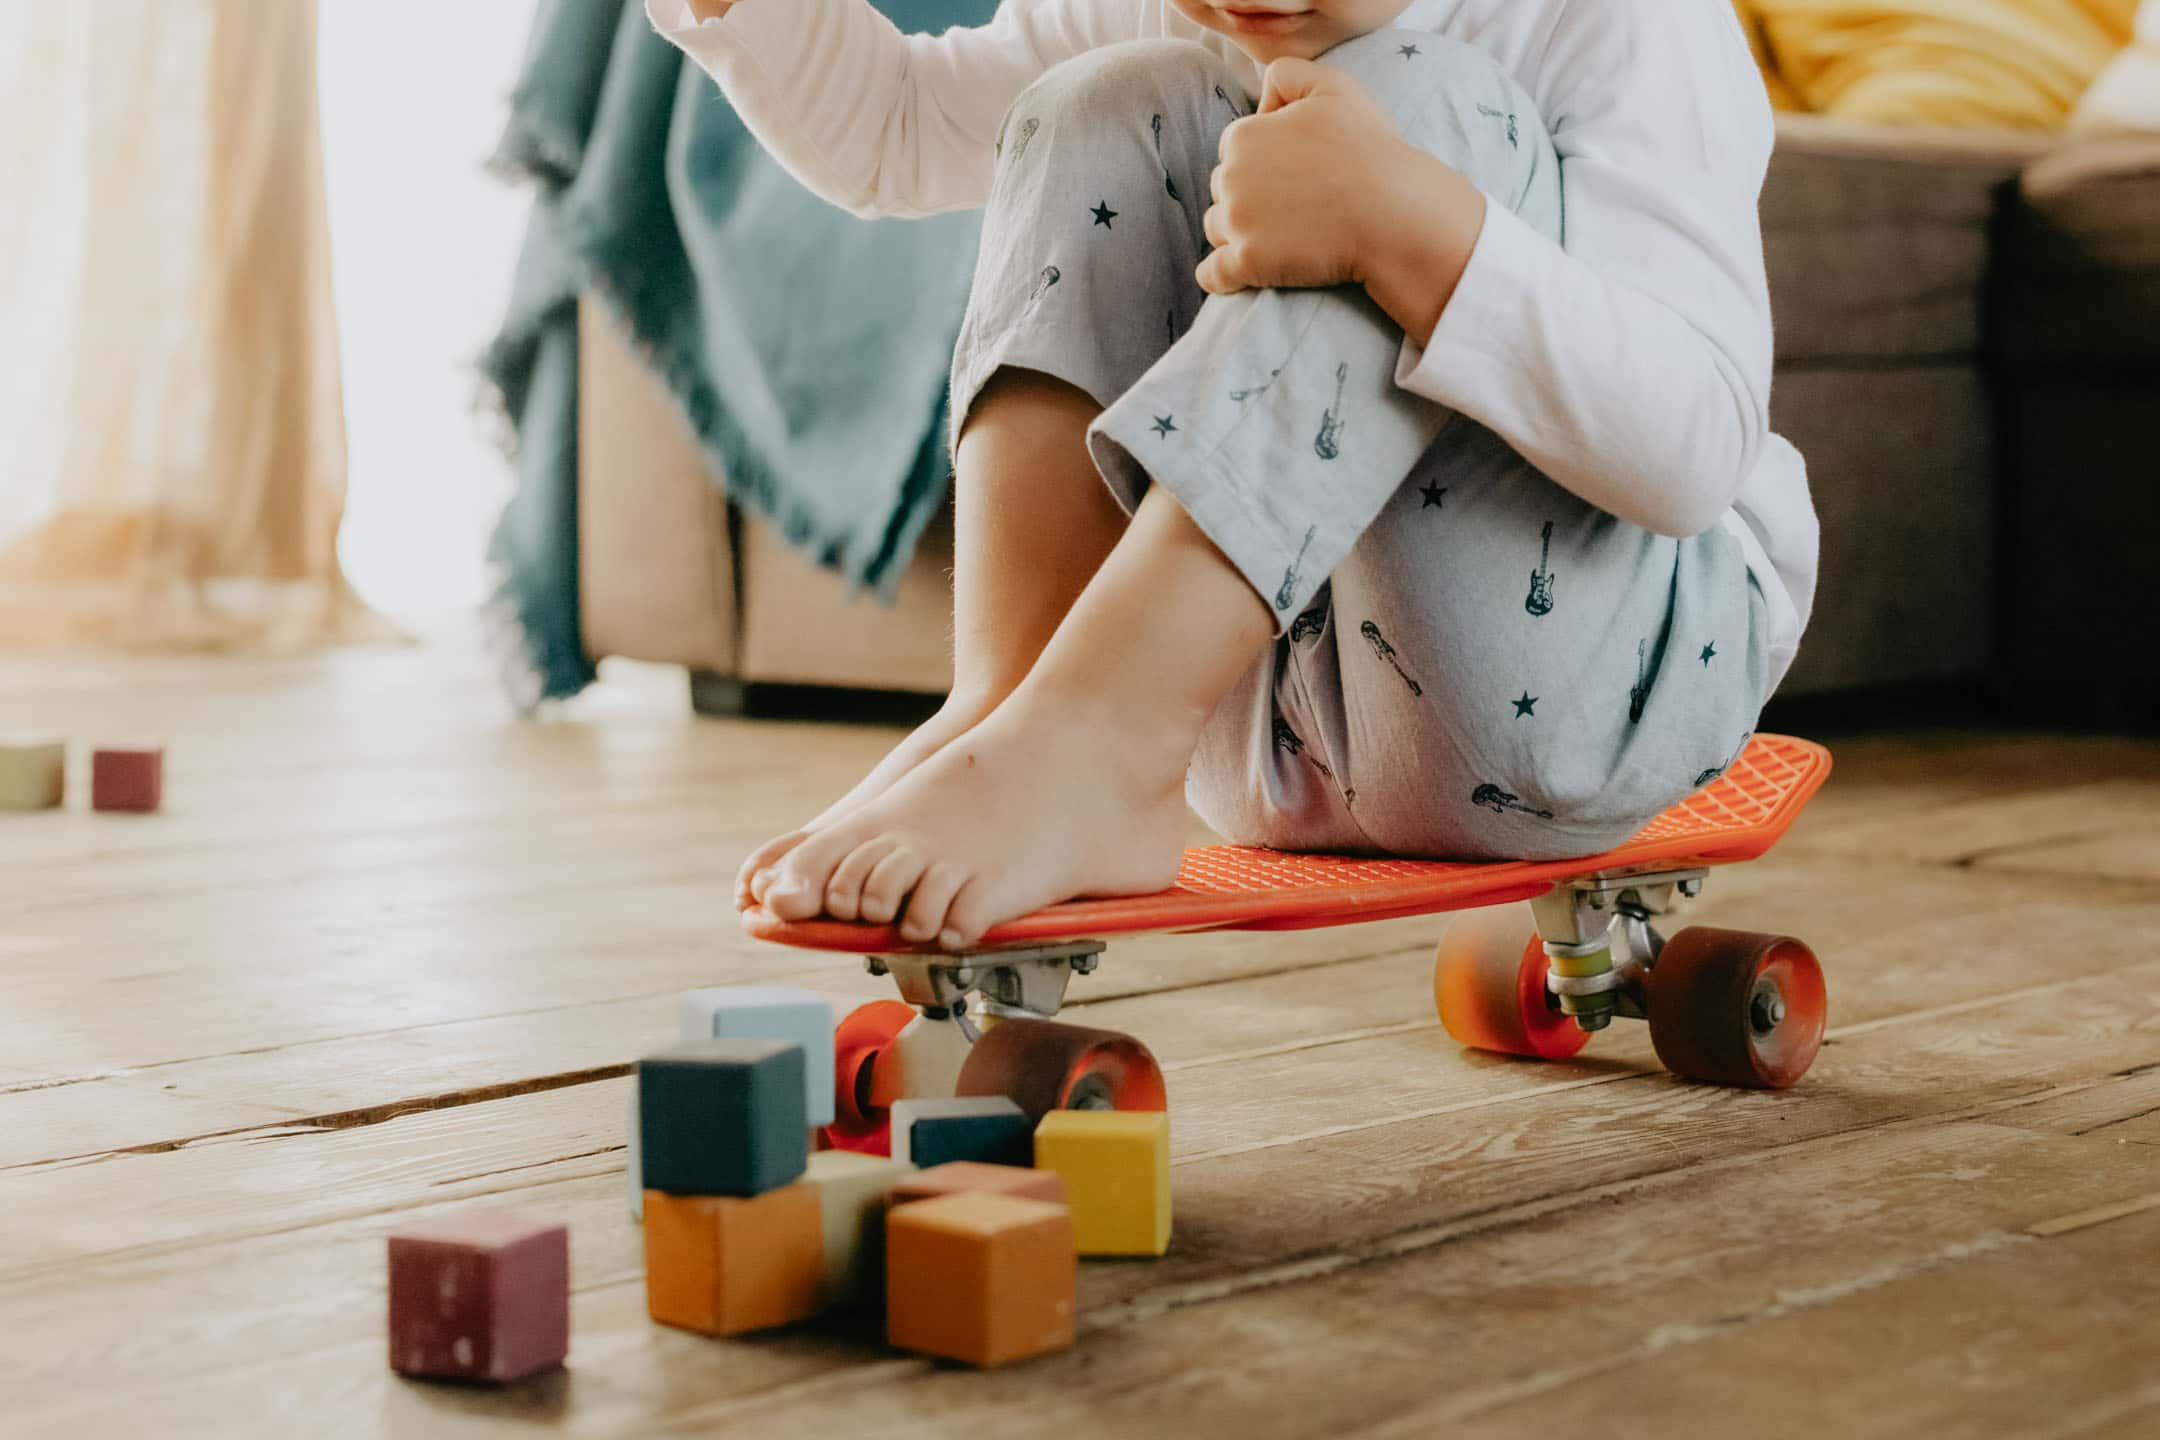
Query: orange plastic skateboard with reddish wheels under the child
column 1729, row 1007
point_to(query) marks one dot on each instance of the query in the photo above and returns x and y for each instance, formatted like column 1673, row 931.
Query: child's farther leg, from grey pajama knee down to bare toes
column 1068, row 310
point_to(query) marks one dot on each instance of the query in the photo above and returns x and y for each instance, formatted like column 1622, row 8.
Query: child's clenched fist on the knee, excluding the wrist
column 1304, row 185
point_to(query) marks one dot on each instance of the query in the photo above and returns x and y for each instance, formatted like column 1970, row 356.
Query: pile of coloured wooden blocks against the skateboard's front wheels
column 971, row 1232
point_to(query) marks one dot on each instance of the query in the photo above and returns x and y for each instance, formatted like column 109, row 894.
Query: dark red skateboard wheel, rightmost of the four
column 1738, row 1009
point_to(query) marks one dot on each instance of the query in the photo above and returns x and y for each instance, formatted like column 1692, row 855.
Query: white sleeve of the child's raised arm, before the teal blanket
column 878, row 122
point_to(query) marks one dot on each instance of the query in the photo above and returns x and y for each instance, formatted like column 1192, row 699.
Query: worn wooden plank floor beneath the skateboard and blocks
column 390, row 953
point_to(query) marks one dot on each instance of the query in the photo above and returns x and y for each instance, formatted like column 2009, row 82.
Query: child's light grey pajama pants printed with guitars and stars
column 1472, row 662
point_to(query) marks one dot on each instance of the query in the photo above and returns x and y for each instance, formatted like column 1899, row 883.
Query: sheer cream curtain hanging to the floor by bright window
column 172, row 441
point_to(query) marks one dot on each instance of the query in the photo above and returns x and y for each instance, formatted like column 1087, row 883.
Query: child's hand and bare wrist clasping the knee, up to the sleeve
column 1321, row 189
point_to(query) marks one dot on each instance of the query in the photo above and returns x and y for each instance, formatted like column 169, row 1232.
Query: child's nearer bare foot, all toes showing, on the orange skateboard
column 1038, row 804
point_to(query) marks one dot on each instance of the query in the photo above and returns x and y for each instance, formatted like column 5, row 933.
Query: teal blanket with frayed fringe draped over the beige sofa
column 807, row 349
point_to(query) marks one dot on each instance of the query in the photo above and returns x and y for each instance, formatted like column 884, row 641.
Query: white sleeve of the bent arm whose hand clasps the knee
column 1632, row 362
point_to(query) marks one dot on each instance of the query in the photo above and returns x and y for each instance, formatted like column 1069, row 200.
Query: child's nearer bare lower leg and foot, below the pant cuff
column 1077, row 783
